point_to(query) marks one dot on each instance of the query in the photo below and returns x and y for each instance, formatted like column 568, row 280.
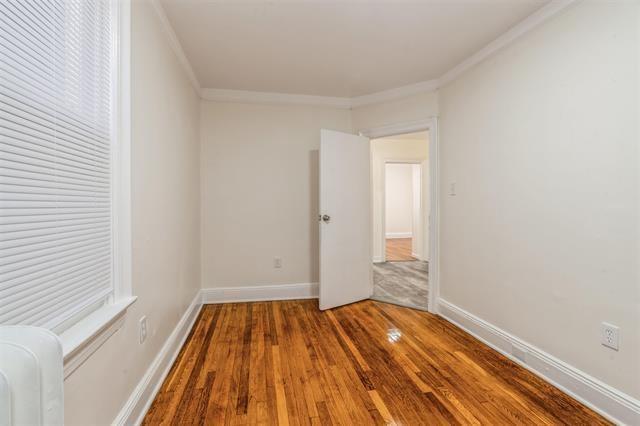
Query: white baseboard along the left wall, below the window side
column 143, row 395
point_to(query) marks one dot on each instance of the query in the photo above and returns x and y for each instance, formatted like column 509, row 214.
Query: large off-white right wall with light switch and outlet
column 541, row 239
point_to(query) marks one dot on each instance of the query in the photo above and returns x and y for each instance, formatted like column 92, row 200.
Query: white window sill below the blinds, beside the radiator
column 84, row 338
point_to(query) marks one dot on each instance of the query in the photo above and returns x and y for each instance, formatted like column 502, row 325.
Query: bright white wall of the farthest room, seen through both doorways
column 398, row 200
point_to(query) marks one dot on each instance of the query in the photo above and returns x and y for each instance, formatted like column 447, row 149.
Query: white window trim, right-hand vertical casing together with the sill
column 83, row 338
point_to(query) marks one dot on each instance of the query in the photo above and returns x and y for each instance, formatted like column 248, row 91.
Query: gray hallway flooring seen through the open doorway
column 404, row 283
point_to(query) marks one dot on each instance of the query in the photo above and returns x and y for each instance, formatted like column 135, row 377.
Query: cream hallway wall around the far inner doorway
column 388, row 149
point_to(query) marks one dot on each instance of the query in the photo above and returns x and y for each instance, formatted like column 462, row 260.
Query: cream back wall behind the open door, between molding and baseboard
column 260, row 191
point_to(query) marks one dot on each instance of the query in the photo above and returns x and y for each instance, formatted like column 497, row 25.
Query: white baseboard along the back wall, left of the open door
column 260, row 293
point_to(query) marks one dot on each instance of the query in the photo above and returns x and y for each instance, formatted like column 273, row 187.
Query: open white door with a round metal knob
column 345, row 225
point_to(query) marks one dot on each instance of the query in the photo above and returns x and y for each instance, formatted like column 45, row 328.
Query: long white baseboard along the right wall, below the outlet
column 602, row 398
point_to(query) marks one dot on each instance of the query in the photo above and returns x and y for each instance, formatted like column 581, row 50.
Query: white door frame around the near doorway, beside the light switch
column 430, row 124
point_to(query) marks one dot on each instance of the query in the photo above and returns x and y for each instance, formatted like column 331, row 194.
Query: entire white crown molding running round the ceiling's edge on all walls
column 248, row 96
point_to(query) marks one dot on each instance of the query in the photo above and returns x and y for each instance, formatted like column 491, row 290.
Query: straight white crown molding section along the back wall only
column 247, row 96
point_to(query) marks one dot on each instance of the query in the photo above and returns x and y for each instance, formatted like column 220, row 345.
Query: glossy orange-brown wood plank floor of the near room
column 366, row 363
